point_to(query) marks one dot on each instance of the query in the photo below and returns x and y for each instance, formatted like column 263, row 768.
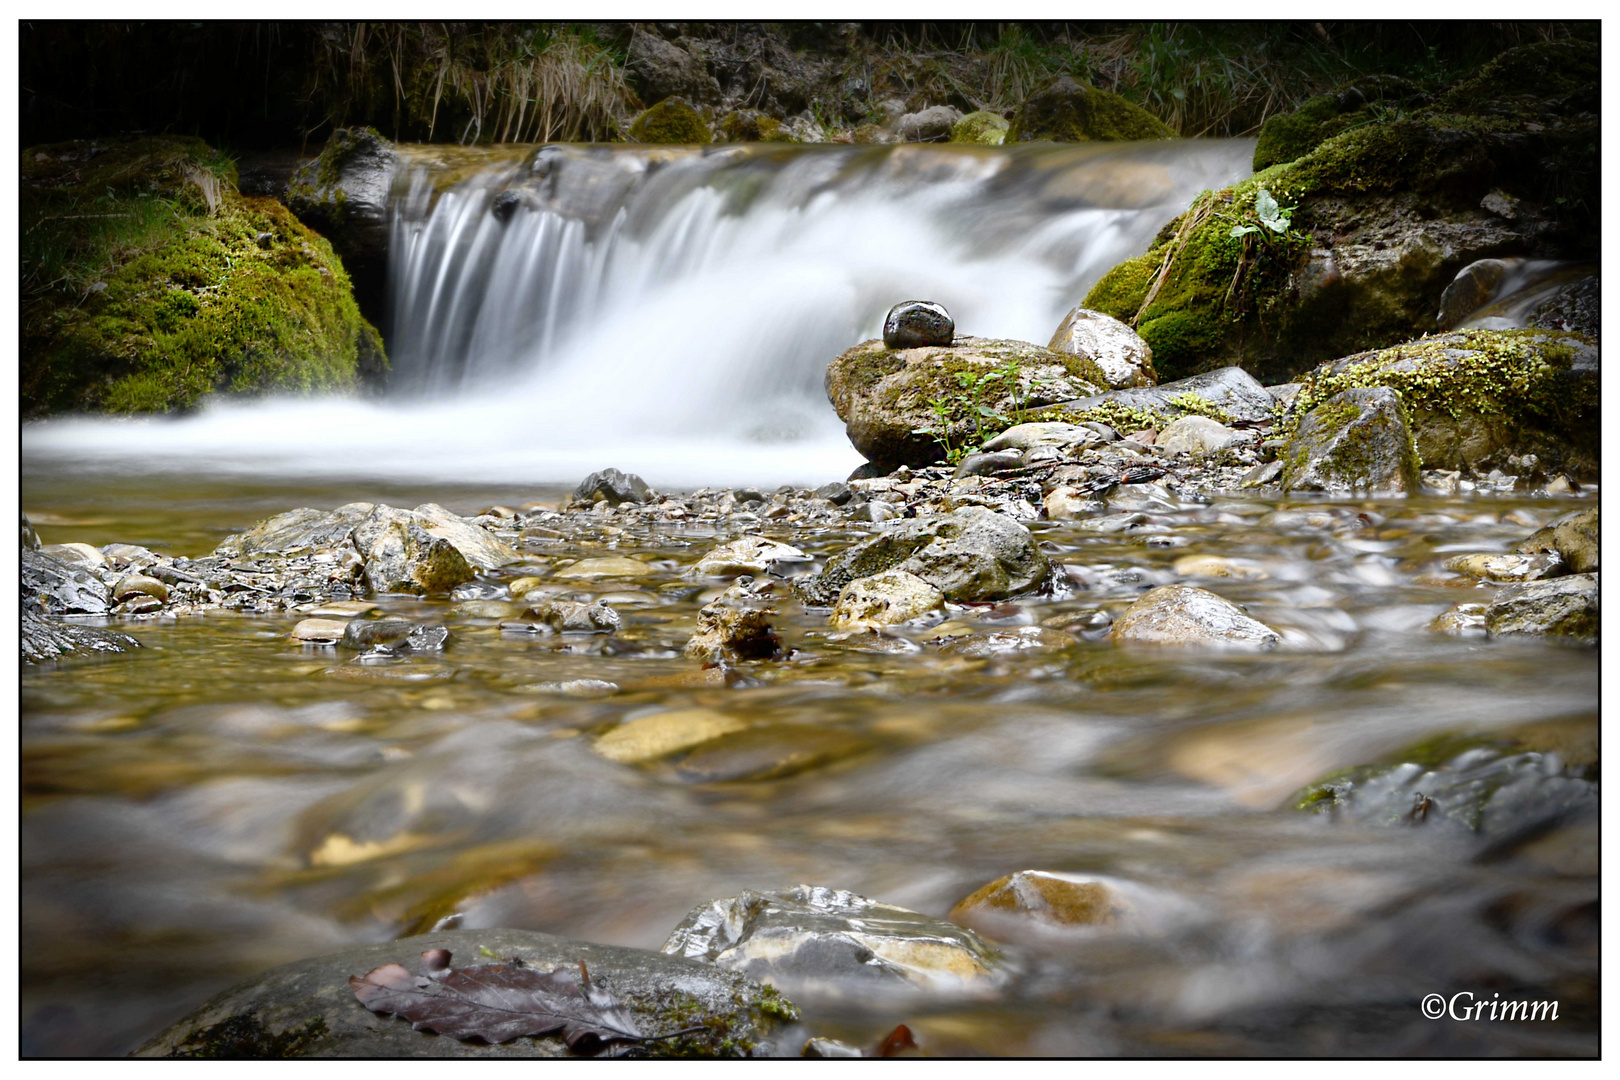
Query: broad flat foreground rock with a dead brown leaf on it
column 309, row 1010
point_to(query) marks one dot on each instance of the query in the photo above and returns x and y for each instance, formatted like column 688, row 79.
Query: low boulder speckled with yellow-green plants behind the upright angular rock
column 1478, row 399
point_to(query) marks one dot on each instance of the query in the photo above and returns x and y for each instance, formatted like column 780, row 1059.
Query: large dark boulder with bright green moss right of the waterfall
column 1386, row 215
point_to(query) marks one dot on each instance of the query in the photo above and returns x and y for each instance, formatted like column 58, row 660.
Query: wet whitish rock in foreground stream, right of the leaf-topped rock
column 829, row 942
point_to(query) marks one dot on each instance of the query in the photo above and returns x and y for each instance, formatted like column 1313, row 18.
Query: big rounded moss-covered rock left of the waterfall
column 151, row 283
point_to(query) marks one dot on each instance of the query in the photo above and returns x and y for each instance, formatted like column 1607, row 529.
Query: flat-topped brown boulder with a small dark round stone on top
column 884, row 394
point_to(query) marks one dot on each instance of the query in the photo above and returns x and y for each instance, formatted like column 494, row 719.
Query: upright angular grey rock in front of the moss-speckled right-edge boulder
column 1357, row 441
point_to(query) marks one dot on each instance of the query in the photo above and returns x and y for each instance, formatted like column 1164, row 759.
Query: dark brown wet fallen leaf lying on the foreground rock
column 498, row 1001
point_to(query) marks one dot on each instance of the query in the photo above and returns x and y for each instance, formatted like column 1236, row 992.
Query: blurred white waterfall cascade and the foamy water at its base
column 673, row 313
